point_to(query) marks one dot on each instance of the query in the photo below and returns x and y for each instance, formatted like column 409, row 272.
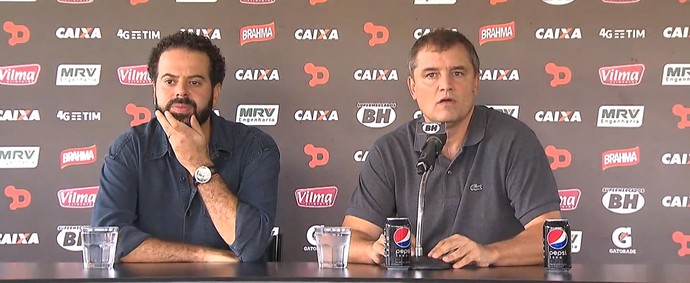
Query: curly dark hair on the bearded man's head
column 193, row 42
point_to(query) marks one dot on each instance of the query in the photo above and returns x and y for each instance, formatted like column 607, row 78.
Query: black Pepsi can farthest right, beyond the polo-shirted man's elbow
column 557, row 244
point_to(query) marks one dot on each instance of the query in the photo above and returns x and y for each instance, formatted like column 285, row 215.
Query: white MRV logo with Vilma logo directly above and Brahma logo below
column 619, row 116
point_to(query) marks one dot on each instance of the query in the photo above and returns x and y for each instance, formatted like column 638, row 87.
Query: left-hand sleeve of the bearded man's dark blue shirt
column 116, row 202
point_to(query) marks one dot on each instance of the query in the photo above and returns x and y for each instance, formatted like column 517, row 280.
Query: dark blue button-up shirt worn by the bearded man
column 146, row 192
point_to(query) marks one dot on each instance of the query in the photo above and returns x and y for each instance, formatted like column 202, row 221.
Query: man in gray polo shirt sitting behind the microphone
column 492, row 188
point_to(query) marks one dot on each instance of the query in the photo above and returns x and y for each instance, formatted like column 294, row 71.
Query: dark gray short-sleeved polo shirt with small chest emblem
column 499, row 182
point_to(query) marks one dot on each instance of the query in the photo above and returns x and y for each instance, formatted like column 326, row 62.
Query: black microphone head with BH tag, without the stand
column 435, row 134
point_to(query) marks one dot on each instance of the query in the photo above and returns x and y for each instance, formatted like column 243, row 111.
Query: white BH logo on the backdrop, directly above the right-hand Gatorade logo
column 623, row 200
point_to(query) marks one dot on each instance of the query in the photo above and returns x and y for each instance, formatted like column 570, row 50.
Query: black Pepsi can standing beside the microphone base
column 398, row 243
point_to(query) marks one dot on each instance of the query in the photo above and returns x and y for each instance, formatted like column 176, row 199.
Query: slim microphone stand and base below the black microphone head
column 420, row 261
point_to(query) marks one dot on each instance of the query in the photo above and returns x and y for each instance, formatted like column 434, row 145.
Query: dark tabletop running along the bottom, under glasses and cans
column 309, row 272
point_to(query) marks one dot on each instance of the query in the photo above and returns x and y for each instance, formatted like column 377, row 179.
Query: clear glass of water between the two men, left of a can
column 332, row 246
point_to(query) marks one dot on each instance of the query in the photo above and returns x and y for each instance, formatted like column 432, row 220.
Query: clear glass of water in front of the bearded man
column 98, row 246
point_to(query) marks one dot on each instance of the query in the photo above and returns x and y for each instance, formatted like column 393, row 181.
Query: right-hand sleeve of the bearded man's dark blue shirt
column 256, row 210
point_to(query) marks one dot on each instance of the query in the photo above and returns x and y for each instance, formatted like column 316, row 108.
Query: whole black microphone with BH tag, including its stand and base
column 435, row 134
